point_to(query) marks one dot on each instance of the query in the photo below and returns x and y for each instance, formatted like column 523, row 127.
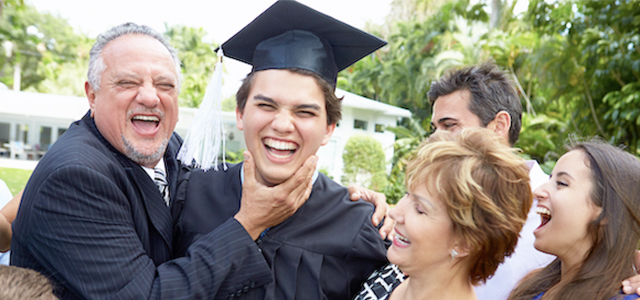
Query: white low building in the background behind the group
column 34, row 121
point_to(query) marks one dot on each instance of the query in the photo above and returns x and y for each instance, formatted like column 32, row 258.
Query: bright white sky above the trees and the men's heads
column 220, row 18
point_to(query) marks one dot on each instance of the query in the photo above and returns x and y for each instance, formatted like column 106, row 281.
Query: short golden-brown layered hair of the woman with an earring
column 485, row 188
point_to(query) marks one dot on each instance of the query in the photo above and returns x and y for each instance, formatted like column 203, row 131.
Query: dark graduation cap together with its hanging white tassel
column 288, row 35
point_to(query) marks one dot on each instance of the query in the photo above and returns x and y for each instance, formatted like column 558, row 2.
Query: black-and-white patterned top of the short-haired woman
column 381, row 283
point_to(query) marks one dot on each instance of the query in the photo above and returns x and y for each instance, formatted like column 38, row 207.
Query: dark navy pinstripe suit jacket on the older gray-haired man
column 94, row 222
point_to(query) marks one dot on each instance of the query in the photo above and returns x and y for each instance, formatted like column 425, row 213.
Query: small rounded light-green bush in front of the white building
column 364, row 163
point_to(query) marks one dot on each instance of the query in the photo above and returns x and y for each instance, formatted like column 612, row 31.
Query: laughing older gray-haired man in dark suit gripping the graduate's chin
column 96, row 214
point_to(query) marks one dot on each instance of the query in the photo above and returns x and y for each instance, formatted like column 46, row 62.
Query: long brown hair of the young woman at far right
column 616, row 231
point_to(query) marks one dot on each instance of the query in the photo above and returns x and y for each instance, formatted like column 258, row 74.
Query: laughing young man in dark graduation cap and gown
column 287, row 109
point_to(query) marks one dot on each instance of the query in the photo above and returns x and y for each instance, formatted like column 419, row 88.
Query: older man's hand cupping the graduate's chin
column 262, row 207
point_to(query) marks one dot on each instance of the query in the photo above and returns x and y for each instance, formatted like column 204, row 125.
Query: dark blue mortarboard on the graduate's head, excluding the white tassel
column 291, row 35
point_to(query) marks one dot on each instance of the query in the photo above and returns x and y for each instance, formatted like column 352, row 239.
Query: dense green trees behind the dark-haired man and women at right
column 575, row 63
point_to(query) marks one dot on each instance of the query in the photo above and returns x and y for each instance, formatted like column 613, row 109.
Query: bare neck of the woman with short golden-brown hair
column 452, row 284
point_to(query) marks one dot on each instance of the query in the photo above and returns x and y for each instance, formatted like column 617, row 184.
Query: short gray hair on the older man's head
column 96, row 62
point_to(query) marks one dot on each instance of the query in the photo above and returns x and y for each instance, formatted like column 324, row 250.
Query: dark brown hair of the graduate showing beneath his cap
column 333, row 104
